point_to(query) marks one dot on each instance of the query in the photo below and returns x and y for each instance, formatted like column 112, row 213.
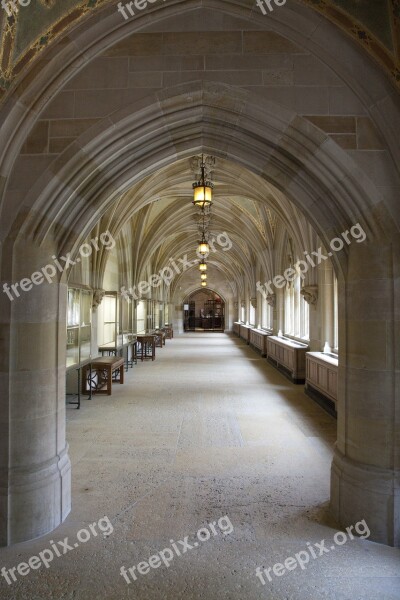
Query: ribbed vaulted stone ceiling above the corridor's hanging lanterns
column 247, row 212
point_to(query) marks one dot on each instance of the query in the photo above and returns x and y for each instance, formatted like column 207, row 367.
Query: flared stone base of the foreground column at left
column 39, row 499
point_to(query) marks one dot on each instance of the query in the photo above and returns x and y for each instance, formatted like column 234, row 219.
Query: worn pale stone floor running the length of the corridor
column 209, row 430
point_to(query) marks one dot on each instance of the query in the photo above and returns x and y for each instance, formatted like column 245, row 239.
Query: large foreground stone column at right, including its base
column 365, row 480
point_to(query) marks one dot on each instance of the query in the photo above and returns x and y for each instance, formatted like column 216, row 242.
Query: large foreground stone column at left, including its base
column 35, row 485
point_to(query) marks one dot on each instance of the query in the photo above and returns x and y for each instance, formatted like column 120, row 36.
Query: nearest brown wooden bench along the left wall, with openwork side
column 99, row 374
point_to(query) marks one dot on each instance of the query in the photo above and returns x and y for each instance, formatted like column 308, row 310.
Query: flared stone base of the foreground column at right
column 360, row 491
